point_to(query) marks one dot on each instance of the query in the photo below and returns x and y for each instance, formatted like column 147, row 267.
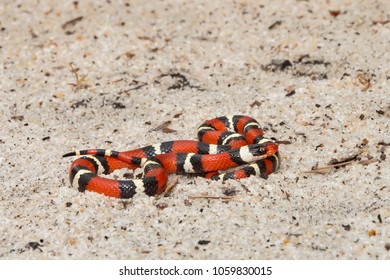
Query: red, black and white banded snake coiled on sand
column 224, row 143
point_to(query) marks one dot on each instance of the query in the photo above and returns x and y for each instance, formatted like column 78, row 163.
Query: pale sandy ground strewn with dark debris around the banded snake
column 314, row 73
